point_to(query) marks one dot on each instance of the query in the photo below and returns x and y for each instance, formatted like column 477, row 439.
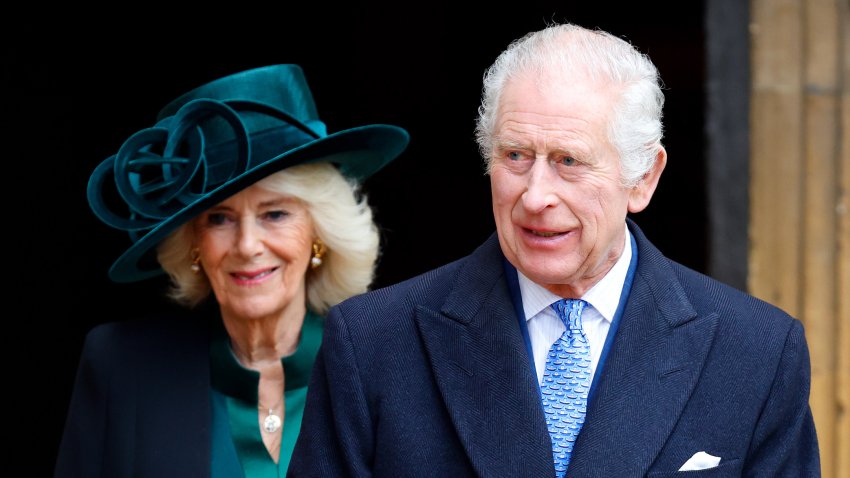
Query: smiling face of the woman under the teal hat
column 255, row 248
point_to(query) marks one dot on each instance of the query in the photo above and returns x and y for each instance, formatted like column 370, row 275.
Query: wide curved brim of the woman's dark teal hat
column 358, row 152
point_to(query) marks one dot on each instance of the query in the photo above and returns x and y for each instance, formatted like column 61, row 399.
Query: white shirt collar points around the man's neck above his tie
column 604, row 296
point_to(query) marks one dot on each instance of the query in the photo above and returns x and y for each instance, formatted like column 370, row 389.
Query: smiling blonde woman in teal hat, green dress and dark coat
column 253, row 210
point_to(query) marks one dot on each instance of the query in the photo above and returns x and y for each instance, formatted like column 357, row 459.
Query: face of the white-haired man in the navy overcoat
column 558, row 200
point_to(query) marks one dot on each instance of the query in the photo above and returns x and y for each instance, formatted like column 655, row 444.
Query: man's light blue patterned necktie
column 566, row 382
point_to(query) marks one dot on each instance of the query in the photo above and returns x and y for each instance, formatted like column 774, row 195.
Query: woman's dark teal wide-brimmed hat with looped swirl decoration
column 215, row 141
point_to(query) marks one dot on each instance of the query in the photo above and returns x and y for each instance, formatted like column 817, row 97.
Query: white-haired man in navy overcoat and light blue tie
column 566, row 344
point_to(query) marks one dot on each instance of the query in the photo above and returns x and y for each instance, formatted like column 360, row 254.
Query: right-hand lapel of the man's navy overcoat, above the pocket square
column 651, row 370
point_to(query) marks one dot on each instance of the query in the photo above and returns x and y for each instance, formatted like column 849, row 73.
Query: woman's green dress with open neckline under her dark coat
column 237, row 446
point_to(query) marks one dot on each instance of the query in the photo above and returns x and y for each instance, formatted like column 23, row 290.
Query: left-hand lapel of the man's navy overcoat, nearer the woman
column 483, row 372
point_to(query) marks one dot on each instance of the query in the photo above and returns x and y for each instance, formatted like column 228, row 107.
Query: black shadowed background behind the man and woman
column 75, row 91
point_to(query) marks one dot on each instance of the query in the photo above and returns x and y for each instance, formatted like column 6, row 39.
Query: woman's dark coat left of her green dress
column 141, row 401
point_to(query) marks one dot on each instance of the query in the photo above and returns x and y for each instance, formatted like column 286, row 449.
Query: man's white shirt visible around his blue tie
column 544, row 326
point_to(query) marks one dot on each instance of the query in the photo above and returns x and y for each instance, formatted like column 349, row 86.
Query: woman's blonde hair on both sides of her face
column 342, row 220
